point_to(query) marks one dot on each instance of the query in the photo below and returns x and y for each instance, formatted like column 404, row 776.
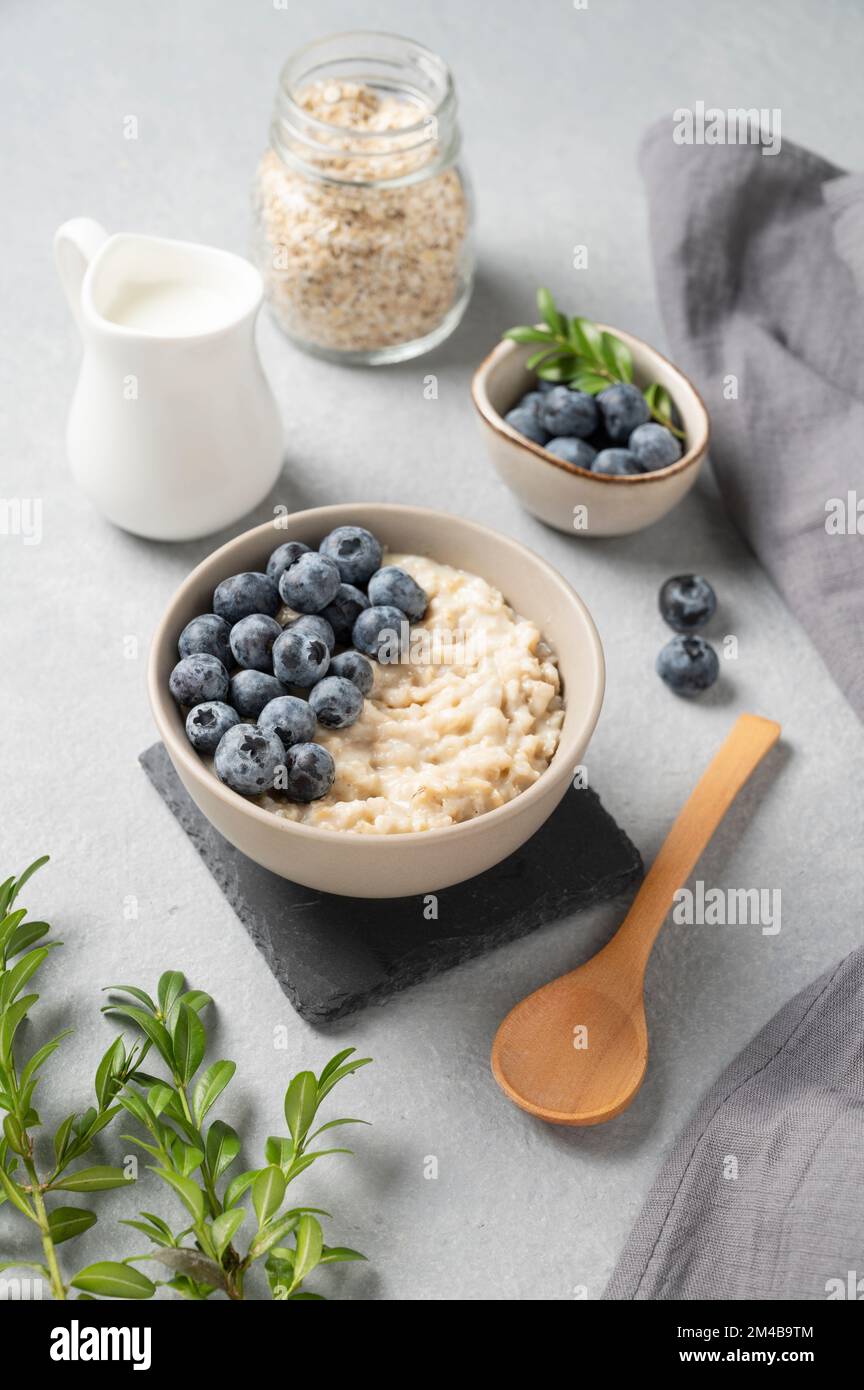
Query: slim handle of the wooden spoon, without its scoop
column 699, row 818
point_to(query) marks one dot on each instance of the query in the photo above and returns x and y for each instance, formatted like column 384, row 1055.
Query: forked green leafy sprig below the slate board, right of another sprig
column 194, row 1159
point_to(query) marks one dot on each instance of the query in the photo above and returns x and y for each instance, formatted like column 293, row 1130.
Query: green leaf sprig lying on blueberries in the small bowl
column 577, row 354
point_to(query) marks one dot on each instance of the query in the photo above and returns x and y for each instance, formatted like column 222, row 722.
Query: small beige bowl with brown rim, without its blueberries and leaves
column 573, row 500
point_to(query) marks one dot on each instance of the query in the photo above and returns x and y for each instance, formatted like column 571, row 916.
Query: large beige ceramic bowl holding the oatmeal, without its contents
column 388, row 867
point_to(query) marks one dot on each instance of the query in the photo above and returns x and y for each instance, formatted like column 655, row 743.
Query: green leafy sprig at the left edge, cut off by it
column 23, row 1186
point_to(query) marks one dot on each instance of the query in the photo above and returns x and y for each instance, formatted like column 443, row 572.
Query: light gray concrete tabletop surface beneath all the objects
column 554, row 105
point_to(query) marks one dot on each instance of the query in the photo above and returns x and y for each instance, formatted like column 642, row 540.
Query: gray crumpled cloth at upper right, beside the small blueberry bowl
column 761, row 272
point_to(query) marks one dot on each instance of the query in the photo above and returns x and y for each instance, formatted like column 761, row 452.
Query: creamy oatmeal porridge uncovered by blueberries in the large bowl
column 470, row 719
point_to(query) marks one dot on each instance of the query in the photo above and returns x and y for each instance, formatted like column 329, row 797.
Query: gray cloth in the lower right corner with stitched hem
column 762, row 1195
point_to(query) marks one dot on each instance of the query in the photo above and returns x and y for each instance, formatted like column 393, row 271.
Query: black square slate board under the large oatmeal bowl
column 334, row 956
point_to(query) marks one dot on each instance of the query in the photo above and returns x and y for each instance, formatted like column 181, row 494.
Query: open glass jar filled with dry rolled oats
column 363, row 216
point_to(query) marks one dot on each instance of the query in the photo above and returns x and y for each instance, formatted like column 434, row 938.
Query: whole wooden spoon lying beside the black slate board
column 576, row 1052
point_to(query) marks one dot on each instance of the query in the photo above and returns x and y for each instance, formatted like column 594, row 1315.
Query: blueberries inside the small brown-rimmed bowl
column 610, row 433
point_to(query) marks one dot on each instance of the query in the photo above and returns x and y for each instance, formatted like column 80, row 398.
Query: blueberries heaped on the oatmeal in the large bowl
column 256, row 692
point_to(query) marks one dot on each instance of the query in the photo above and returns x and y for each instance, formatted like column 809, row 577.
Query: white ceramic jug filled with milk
column 174, row 432
